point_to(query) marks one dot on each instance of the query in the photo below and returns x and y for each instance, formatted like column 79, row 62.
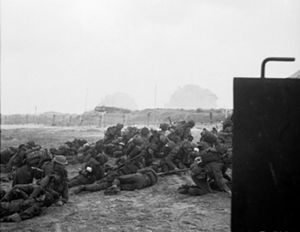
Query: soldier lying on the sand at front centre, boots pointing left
column 145, row 177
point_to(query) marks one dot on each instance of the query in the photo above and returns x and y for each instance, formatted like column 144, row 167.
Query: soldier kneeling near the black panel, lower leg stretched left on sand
column 199, row 174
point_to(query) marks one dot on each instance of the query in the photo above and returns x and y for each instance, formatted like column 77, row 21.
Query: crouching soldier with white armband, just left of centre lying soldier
column 93, row 170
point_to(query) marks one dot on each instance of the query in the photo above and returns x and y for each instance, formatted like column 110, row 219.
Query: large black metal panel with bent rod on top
column 266, row 153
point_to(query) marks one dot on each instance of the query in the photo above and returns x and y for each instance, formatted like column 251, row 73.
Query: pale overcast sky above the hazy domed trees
column 67, row 55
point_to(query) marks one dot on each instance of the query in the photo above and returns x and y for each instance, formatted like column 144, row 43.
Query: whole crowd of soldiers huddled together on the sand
column 124, row 159
